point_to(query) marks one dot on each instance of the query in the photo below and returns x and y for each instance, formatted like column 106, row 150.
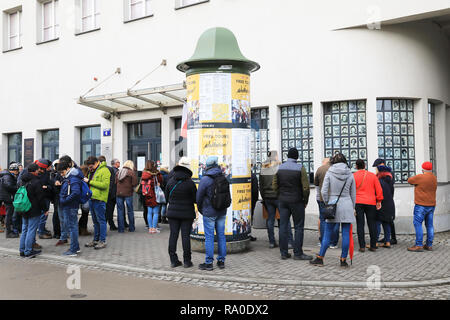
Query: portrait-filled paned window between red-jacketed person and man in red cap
column 395, row 127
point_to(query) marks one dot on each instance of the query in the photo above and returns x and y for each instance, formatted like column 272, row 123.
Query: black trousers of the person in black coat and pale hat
column 185, row 225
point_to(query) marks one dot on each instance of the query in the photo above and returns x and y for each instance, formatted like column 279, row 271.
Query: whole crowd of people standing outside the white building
column 172, row 197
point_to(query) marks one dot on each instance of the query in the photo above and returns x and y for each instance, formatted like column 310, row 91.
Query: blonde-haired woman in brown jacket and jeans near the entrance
column 126, row 180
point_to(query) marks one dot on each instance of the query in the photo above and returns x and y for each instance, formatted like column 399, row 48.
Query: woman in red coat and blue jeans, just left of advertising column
column 151, row 177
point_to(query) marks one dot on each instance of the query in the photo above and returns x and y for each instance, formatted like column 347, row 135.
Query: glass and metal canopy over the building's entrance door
column 130, row 101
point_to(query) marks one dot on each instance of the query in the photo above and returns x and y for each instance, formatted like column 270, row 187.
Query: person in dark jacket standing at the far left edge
column 8, row 188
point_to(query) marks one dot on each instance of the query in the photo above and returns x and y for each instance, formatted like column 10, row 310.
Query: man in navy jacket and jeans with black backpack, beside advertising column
column 213, row 199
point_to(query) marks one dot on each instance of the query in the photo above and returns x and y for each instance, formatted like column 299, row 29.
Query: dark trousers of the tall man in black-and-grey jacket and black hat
column 297, row 210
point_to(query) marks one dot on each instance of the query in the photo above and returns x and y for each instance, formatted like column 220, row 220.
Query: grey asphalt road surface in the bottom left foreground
column 30, row 279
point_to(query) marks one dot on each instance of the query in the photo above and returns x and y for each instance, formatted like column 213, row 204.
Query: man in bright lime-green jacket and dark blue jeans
column 98, row 181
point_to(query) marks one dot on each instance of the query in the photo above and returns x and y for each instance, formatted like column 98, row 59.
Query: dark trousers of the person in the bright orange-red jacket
column 370, row 212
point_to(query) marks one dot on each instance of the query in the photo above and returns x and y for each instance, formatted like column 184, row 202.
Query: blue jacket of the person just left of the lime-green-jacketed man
column 70, row 194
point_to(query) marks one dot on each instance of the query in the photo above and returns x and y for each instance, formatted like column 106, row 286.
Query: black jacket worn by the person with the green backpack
column 36, row 195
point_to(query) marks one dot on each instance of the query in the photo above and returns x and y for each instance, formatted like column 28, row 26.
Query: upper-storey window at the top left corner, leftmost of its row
column 12, row 29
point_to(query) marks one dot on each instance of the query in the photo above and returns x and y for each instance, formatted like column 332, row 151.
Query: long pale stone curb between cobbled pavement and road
column 185, row 275
